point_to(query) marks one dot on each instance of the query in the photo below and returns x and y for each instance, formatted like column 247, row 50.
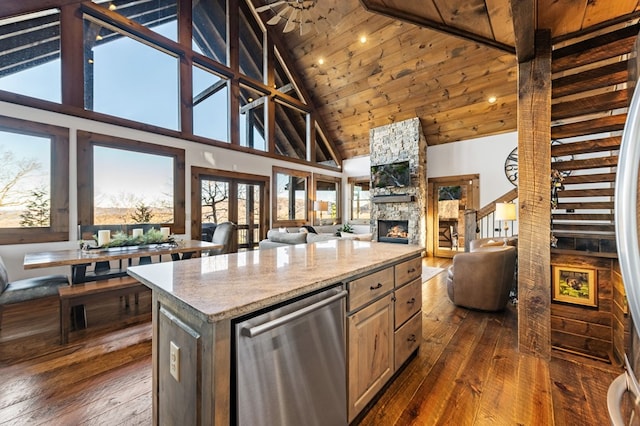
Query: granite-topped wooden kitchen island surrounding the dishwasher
column 196, row 301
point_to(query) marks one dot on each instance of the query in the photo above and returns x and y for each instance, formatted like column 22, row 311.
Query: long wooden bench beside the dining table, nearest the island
column 79, row 294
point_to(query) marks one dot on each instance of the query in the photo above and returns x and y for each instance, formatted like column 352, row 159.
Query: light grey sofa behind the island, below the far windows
column 303, row 235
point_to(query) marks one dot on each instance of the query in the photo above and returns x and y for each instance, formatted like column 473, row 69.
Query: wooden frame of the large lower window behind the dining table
column 88, row 140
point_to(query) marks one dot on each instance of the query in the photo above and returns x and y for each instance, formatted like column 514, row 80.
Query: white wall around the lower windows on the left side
column 196, row 154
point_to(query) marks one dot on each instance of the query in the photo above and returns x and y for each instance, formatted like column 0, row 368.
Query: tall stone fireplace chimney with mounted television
column 390, row 144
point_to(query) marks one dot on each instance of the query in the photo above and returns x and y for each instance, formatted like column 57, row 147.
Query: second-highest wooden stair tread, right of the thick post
column 608, row 75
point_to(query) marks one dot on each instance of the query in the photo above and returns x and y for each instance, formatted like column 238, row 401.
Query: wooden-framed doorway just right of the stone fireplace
column 449, row 197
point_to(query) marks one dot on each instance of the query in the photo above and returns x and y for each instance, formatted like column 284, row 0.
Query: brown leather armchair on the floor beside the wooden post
column 483, row 278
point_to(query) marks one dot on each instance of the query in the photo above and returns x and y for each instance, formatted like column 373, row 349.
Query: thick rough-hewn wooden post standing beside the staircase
column 534, row 171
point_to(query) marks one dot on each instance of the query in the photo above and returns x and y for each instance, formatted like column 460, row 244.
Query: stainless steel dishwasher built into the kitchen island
column 290, row 364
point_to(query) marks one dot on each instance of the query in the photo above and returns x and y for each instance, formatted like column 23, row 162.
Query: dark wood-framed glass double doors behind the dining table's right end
column 219, row 196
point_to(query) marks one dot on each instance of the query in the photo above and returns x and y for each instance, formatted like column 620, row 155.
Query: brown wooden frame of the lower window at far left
column 58, row 229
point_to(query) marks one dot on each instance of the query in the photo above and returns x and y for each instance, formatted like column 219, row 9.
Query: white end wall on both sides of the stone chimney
column 484, row 156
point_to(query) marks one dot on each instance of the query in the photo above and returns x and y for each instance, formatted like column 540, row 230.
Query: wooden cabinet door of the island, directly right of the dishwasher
column 371, row 349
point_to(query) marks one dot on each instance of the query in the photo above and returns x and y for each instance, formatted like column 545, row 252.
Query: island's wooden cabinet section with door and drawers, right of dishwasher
column 383, row 328
